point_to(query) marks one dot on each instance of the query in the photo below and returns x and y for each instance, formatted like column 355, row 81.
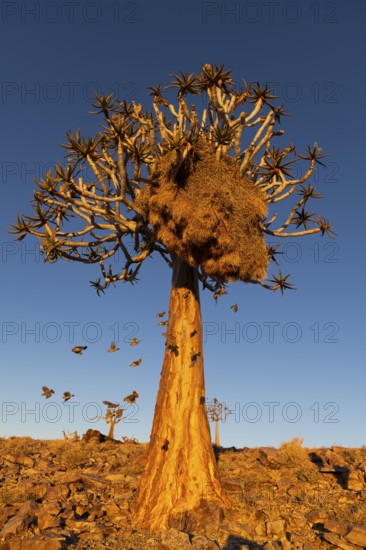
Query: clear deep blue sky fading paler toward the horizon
column 287, row 366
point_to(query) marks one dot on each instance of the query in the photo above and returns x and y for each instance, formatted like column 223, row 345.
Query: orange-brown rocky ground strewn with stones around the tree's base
column 77, row 494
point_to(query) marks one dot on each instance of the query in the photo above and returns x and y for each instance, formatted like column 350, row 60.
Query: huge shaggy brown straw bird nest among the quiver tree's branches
column 207, row 214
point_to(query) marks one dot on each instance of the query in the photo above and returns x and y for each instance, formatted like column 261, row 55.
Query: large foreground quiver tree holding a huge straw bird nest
column 195, row 187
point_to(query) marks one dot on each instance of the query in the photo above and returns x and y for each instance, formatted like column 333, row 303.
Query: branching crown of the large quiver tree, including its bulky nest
column 197, row 184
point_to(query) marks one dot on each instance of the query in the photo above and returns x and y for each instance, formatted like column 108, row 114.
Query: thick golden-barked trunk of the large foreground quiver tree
column 181, row 469
